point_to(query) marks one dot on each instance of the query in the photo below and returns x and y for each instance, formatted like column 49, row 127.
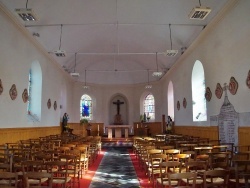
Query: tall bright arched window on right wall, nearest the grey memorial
column 198, row 93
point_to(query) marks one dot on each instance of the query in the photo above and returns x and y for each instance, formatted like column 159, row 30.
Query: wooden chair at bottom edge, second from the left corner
column 36, row 180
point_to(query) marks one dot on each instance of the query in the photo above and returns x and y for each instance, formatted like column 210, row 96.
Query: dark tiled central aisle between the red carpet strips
column 115, row 170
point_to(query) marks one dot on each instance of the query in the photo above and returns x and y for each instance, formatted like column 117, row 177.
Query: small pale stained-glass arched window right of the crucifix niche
column 149, row 106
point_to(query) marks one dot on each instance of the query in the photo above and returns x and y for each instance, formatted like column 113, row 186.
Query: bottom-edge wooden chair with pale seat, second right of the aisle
column 216, row 178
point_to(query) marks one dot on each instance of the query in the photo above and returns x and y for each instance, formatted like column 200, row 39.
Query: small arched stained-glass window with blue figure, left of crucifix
column 86, row 107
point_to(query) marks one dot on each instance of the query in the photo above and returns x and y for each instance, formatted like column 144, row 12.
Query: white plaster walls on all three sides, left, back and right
column 223, row 50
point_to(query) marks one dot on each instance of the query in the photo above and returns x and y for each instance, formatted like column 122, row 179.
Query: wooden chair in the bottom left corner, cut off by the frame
column 8, row 179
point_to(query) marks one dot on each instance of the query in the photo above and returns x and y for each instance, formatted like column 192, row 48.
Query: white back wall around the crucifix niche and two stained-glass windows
column 102, row 96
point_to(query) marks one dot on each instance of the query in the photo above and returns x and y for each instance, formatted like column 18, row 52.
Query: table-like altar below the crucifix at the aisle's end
column 118, row 130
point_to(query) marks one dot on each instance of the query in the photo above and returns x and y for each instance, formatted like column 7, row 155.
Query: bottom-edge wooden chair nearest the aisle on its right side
column 178, row 178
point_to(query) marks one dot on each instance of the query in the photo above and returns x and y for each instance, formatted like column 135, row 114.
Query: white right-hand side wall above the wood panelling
column 223, row 49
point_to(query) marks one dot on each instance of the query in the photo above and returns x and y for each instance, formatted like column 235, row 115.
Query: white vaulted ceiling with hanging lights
column 115, row 41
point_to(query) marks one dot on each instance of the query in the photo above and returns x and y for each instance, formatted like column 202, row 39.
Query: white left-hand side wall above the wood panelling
column 17, row 53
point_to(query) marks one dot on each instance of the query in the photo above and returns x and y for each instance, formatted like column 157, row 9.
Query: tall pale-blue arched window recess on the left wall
column 35, row 90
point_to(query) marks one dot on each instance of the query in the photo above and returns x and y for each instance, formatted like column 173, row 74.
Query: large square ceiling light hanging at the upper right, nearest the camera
column 199, row 13
